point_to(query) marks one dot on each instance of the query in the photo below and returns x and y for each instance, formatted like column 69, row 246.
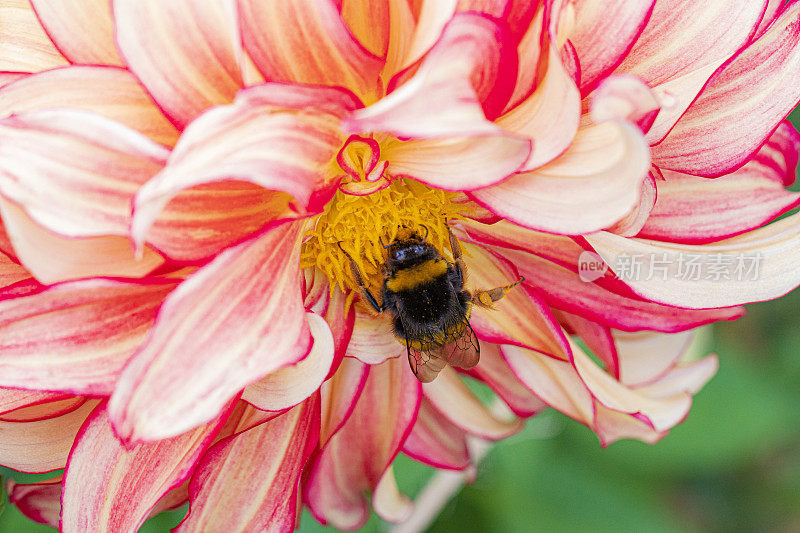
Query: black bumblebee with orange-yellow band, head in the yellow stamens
column 424, row 292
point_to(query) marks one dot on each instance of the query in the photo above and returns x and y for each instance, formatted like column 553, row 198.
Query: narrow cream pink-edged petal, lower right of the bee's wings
column 552, row 380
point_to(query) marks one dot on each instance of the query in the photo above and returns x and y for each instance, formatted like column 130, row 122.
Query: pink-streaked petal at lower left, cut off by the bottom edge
column 101, row 470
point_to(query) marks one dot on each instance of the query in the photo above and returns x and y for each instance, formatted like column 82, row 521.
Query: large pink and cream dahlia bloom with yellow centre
column 181, row 184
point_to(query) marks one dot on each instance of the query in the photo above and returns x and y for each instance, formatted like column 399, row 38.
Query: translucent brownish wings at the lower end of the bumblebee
column 464, row 352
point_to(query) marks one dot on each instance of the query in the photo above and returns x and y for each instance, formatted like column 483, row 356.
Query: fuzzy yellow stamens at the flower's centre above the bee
column 361, row 224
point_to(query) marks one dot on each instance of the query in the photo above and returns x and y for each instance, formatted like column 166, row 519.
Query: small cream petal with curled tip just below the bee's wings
column 453, row 399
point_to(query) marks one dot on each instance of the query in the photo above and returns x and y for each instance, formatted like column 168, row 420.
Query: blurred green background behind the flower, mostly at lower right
column 733, row 465
